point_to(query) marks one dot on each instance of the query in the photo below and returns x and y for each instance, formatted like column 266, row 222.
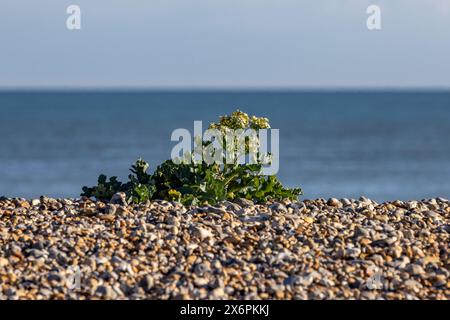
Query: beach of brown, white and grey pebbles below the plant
column 312, row 249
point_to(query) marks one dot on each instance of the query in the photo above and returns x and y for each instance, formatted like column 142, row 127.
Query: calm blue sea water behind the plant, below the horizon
column 383, row 145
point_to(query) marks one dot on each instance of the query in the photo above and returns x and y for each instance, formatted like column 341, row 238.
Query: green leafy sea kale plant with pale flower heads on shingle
column 194, row 182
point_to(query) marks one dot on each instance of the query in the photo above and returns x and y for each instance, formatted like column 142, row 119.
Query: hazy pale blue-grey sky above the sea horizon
column 224, row 43
